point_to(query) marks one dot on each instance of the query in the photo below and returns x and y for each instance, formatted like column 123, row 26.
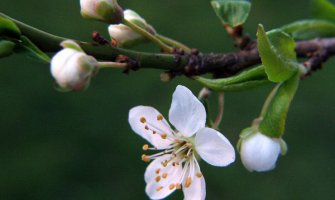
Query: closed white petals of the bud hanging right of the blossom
column 260, row 152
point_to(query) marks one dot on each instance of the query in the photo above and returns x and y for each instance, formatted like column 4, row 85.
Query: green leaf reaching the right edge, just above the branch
column 309, row 29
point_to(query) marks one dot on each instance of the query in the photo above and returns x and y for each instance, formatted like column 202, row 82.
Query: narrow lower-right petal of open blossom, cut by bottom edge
column 197, row 189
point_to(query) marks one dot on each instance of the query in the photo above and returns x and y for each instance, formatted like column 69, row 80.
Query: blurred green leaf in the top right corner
column 323, row 9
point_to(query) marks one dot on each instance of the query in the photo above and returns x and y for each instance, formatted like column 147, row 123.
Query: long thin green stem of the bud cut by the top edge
column 165, row 48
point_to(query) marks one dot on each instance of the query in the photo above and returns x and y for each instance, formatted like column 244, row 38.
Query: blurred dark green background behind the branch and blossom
column 79, row 146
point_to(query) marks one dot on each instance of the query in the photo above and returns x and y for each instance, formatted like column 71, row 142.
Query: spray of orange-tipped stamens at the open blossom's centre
column 180, row 154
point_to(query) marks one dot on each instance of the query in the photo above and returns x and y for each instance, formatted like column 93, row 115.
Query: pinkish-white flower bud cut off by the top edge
column 104, row 10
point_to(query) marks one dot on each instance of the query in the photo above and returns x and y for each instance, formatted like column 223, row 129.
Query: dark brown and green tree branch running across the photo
column 220, row 64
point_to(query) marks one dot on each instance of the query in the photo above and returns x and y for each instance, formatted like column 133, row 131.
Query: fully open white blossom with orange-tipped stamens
column 176, row 166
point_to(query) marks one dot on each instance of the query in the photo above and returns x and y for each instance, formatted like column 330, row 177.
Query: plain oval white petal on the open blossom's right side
column 214, row 148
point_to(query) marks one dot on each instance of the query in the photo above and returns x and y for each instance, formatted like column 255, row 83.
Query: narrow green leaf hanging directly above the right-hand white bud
column 273, row 123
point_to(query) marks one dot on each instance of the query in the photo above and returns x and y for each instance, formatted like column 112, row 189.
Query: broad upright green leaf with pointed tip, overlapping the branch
column 277, row 52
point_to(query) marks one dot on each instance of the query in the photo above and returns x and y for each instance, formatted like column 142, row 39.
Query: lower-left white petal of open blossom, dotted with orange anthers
column 158, row 185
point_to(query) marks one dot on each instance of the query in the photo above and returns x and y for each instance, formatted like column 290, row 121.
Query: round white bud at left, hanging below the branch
column 72, row 68
